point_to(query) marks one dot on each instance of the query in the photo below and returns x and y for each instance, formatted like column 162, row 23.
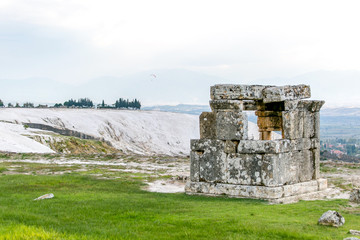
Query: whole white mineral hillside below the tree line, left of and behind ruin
column 141, row 132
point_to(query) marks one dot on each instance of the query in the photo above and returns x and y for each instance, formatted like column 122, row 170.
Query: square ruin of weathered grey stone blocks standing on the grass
column 225, row 162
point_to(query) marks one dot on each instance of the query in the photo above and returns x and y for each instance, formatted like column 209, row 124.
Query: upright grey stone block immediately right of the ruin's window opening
column 293, row 124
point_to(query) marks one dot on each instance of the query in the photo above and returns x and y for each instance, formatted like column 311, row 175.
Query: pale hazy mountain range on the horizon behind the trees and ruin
column 175, row 86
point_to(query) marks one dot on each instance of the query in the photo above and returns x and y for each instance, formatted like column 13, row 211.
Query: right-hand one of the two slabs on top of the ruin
column 278, row 94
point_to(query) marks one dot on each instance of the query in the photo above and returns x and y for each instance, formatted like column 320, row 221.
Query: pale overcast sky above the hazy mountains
column 74, row 41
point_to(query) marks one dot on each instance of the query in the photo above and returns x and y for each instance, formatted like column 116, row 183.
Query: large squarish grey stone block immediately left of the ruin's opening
column 231, row 125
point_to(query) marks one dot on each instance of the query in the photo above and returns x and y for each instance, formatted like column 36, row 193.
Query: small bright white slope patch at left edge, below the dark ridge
column 13, row 140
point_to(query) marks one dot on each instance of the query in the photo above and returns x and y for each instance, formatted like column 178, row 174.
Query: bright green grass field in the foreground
column 88, row 208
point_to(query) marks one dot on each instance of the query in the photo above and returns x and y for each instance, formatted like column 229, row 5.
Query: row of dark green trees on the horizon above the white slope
column 82, row 103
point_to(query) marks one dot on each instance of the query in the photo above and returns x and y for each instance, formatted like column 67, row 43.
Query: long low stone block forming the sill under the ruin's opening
column 264, row 146
